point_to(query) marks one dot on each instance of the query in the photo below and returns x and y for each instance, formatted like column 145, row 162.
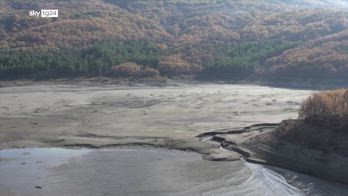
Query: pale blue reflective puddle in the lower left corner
column 24, row 170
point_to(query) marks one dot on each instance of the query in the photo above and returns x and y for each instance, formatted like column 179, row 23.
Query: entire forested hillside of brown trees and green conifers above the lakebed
column 211, row 39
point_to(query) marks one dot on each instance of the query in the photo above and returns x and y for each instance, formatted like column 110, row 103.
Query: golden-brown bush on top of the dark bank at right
column 327, row 108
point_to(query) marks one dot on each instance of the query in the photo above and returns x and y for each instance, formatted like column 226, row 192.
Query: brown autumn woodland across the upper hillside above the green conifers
column 179, row 21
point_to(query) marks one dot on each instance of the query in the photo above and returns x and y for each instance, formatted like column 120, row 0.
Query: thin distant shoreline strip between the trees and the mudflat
column 95, row 81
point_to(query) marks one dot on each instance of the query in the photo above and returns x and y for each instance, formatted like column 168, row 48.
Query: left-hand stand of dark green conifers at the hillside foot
column 97, row 59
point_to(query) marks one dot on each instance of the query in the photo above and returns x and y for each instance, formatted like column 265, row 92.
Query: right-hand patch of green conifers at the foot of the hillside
column 244, row 58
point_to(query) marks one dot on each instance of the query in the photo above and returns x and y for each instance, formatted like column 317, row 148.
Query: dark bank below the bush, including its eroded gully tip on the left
column 292, row 144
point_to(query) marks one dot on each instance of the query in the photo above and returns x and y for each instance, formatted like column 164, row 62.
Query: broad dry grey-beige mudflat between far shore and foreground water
column 215, row 120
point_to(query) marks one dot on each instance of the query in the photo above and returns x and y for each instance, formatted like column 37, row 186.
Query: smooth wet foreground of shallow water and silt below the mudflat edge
column 145, row 171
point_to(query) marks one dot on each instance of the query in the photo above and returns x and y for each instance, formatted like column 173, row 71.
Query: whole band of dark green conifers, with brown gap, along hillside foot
column 229, row 60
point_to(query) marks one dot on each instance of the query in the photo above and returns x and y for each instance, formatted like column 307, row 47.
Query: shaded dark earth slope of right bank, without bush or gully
column 303, row 147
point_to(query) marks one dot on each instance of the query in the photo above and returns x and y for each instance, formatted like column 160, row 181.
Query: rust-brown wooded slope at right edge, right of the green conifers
column 324, row 57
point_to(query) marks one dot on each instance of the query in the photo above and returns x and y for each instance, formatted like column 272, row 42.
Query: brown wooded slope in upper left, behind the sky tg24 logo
column 79, row 24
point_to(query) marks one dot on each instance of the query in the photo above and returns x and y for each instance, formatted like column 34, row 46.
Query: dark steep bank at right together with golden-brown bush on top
column 315, row 143
